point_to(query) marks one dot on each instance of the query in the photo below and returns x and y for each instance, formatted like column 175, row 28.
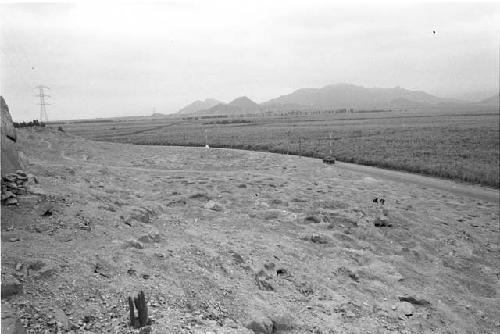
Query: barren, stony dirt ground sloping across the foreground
column 220, row 240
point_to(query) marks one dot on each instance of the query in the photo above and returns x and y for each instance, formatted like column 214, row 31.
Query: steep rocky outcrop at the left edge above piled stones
column 10, row 157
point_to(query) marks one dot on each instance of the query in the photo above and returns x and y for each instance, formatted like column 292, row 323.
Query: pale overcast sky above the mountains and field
column 127, row 59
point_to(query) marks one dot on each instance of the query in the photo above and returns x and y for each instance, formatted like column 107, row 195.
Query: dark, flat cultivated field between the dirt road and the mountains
column 461, row 145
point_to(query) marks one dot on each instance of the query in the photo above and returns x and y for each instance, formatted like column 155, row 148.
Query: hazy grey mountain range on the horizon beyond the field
column 337, row 96
